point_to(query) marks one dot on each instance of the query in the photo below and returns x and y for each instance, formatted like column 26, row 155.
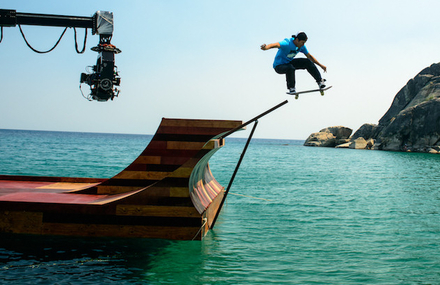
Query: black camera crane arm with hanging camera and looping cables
column 104, row 78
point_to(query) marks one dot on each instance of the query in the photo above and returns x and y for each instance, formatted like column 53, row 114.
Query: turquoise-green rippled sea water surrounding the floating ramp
column 295, row 215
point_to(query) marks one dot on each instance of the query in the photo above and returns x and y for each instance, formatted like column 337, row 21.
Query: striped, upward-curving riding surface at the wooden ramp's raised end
column 175, row 143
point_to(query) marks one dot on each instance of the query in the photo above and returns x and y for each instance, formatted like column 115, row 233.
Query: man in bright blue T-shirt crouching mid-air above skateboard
column 286, row 63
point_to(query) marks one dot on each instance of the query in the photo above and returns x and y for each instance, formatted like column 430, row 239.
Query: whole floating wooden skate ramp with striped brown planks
column 167, row 192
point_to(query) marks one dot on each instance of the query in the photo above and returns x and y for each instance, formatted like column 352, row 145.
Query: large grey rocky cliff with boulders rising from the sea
column 412, row 123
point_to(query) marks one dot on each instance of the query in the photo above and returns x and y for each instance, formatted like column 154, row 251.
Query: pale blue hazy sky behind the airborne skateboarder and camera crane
column 202, row 60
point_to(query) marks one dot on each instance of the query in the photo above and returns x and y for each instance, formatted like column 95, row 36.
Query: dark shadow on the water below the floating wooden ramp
column 69, row 260
